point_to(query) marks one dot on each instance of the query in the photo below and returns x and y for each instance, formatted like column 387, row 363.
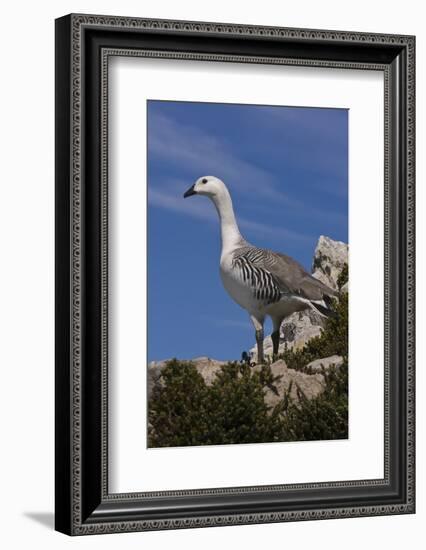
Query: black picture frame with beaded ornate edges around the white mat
column 83, row 504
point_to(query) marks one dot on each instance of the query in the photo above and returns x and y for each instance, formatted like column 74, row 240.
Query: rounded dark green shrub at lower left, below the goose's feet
column 185, row 411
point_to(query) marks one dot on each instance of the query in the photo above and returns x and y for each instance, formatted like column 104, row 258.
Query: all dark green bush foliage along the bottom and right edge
column 184, row 411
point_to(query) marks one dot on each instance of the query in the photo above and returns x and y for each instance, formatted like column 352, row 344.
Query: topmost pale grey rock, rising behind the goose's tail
column 329, row 259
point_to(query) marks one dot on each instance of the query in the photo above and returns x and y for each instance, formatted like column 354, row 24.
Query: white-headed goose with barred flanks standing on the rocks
column 263, row 282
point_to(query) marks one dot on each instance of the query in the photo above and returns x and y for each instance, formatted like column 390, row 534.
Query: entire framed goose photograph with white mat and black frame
column 234, row 274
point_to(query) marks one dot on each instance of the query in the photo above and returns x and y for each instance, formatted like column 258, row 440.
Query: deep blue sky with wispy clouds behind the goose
column 287, row 171
